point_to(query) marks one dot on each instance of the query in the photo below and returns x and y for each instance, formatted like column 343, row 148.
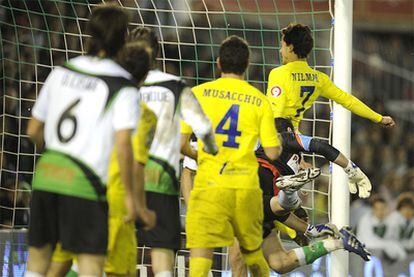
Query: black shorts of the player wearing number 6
column 80, row 225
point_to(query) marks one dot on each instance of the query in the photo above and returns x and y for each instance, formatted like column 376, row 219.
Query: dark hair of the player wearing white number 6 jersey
column 107, row 27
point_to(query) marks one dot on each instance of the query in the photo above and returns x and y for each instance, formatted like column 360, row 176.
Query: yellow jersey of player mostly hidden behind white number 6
column 141, row 142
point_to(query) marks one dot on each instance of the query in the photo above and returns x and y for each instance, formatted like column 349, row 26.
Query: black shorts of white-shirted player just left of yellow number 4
column 166, row 233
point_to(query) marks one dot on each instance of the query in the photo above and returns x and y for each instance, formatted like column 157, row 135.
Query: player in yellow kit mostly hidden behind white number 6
column 122, row 244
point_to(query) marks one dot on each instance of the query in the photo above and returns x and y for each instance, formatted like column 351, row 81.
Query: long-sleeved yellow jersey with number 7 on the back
column 292, row 88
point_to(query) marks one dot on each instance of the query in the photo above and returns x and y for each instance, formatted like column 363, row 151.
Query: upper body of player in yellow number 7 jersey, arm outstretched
column 294, row 86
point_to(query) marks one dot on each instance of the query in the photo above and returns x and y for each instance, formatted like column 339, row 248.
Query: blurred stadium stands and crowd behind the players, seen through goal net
column 38, row 35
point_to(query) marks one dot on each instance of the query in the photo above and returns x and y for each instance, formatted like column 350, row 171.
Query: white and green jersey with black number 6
column 82, row 105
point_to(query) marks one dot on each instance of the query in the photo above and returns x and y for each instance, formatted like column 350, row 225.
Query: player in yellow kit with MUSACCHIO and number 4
column 226, row 201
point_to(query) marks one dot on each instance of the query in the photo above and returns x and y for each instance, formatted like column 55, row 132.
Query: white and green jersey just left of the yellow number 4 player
column 161, row 92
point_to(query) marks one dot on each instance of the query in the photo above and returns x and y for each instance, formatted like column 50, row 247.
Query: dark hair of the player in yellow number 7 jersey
column 300, row 37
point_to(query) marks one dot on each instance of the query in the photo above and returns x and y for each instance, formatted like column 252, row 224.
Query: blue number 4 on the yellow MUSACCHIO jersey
column 233, row 115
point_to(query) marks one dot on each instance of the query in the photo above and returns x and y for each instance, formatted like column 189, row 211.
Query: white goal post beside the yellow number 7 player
column 341, row 138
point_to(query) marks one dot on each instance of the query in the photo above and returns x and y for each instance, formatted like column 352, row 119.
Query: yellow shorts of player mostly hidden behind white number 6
column 122, row 253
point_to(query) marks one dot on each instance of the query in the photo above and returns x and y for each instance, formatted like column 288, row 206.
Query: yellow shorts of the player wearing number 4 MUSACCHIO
column 216, row 215
